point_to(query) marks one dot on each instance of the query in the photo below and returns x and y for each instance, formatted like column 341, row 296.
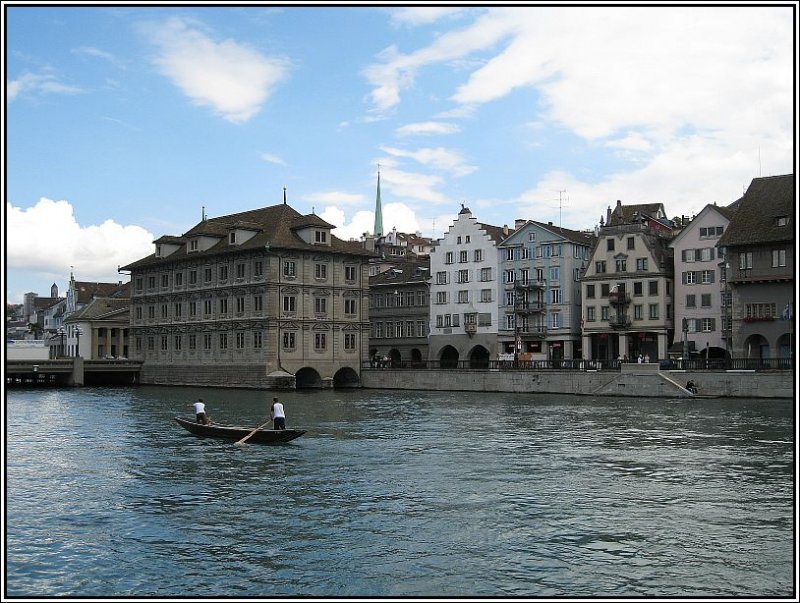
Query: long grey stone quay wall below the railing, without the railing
column 624, row 379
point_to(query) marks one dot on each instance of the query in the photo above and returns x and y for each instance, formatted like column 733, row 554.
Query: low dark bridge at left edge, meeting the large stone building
column 72, row 371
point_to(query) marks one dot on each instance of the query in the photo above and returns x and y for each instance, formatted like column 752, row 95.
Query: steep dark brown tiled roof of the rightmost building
column 755, row 222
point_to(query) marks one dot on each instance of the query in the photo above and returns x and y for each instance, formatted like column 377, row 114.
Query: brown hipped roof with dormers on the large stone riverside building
column 276, row 227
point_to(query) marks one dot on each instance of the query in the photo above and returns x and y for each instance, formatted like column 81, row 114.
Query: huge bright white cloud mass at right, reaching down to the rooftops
column 686, row 96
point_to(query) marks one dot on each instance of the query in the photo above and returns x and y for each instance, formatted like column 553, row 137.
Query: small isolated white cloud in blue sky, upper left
column 228, row 76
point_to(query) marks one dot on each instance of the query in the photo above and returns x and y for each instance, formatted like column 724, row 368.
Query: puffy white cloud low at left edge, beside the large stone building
column 47, row 239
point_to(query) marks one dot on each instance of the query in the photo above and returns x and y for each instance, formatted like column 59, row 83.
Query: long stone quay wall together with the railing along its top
column 724, row 378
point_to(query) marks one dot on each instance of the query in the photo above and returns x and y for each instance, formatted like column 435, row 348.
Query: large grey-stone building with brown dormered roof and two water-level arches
column 262, row 298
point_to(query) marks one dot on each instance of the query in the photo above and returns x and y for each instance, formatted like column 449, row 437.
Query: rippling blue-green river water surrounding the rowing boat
column 398, row 494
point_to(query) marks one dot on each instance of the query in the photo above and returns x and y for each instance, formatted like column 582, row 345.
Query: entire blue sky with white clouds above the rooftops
column 126, row 123
